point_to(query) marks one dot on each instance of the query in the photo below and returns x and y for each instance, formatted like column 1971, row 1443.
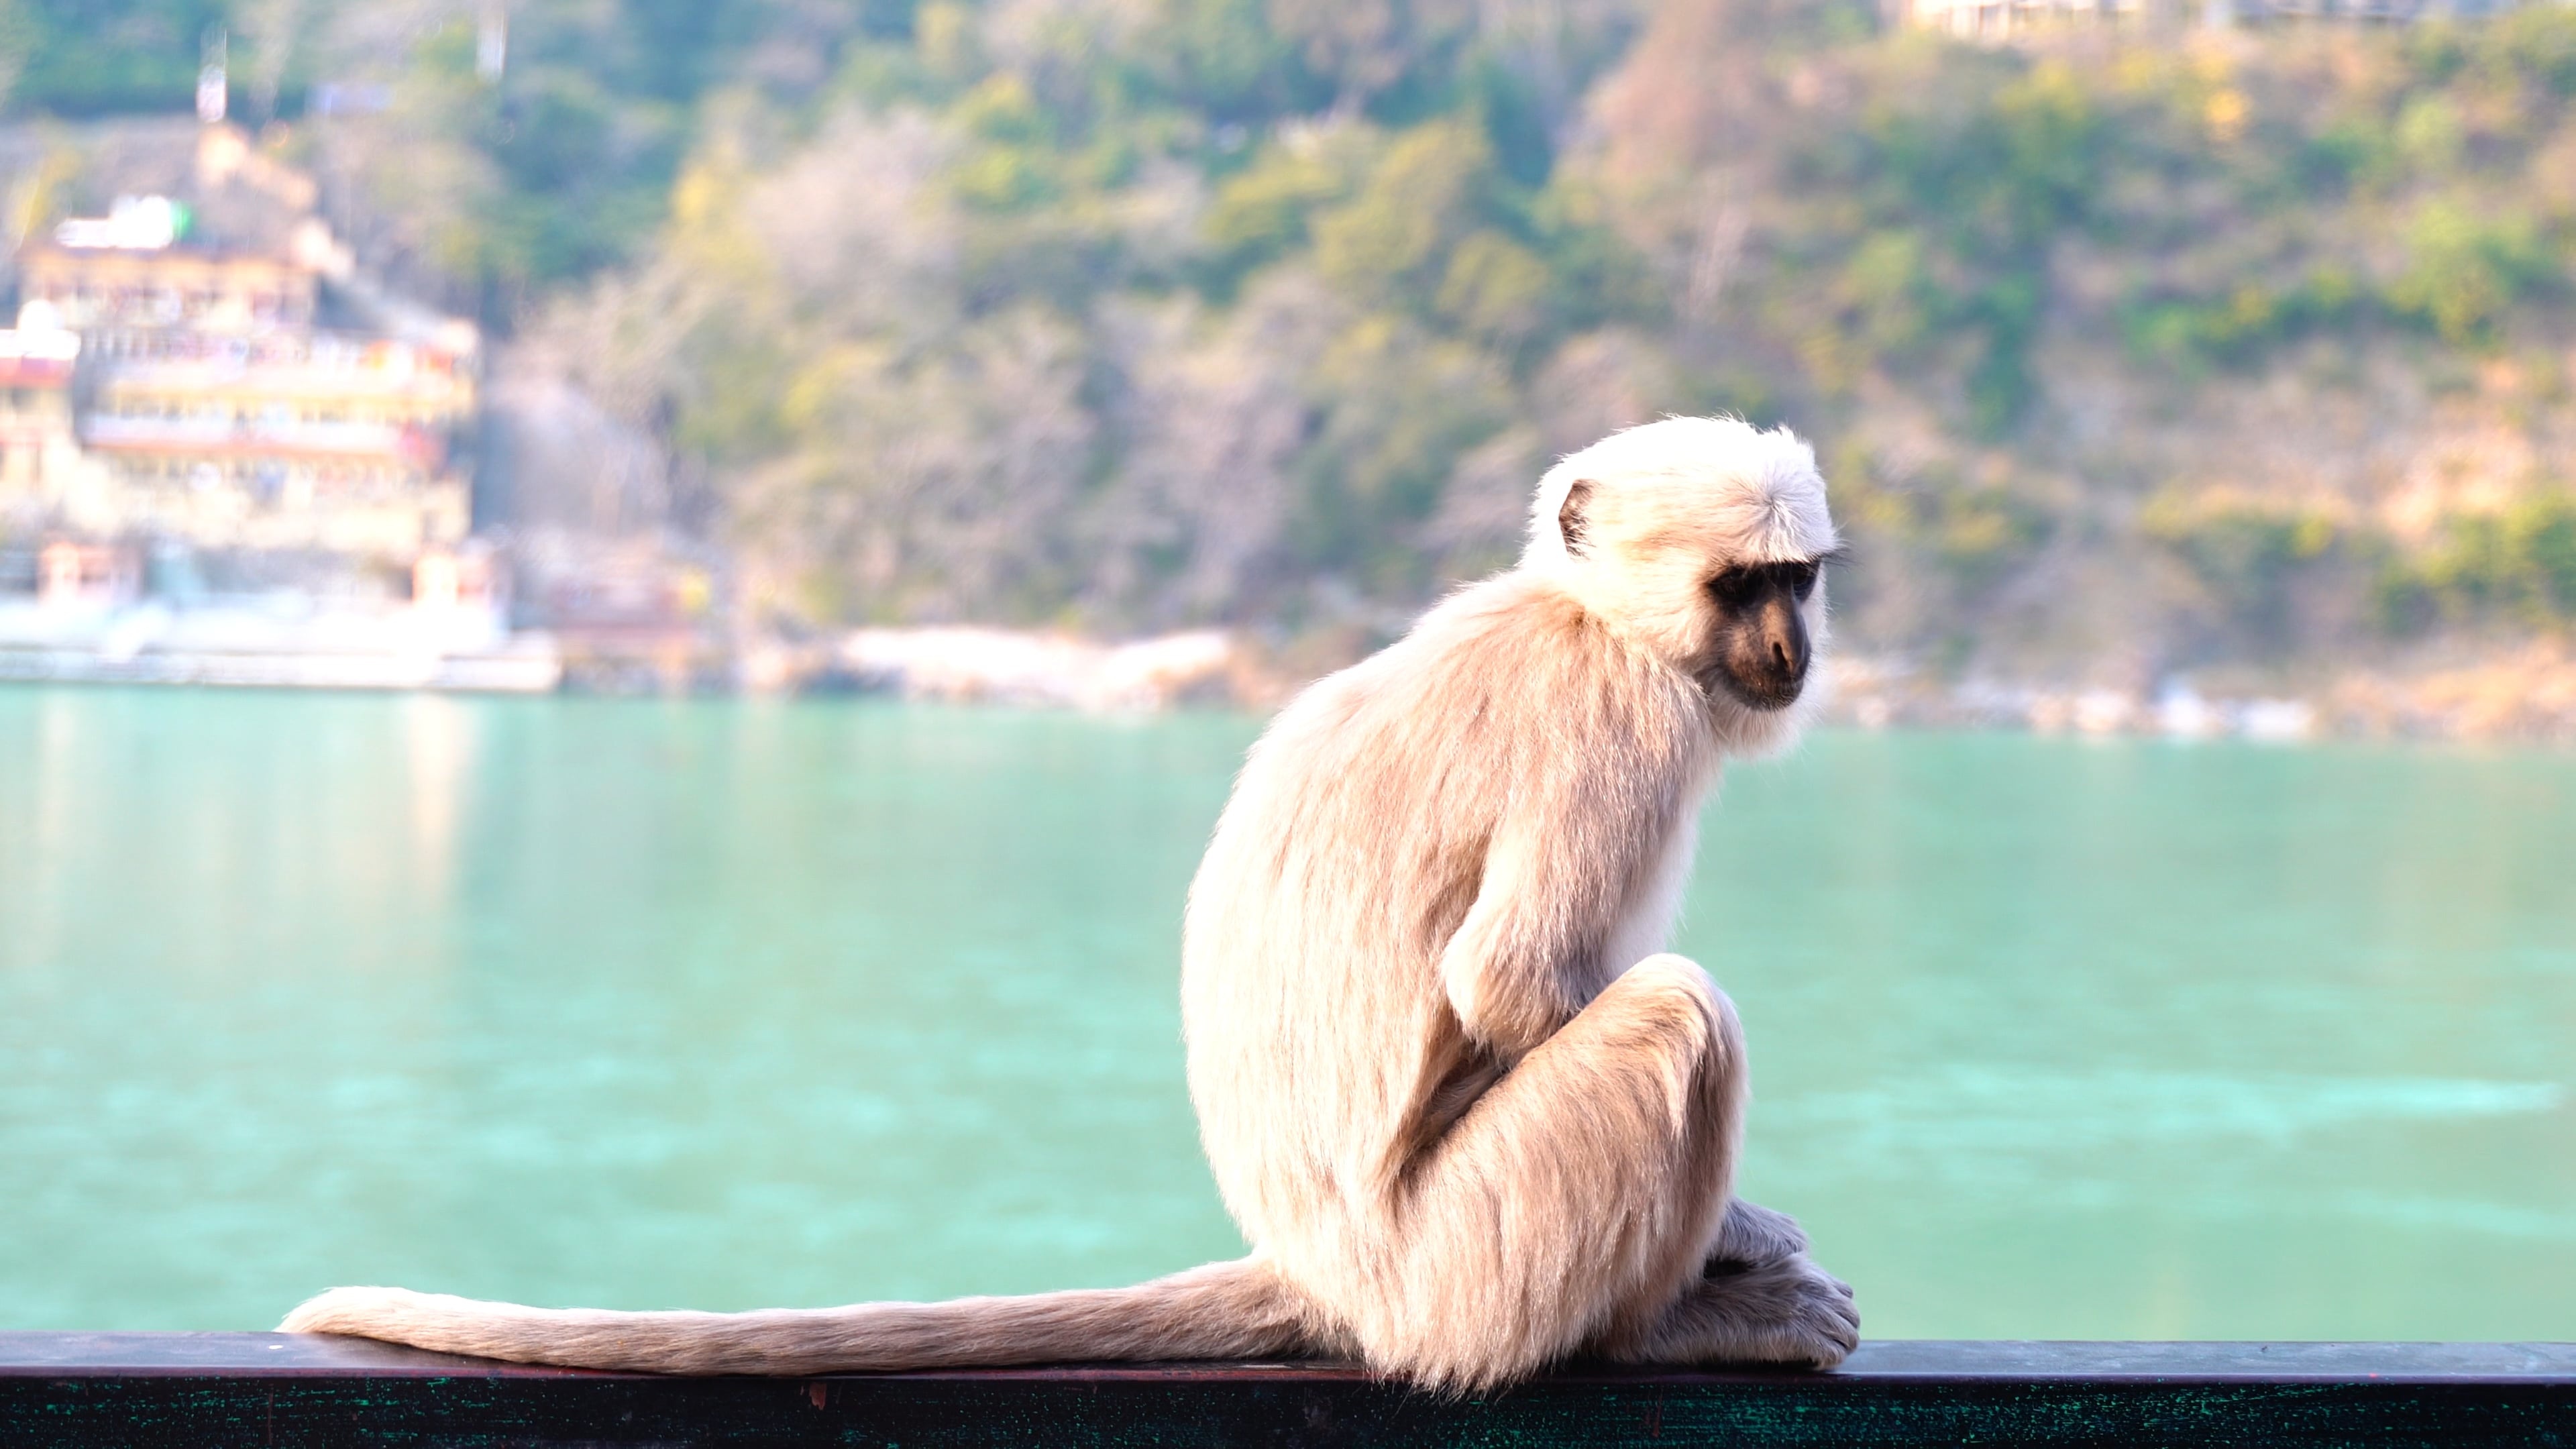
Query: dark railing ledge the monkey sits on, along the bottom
column 274, row 1388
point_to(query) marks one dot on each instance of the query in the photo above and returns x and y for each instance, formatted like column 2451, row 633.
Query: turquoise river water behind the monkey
column 779, row 1004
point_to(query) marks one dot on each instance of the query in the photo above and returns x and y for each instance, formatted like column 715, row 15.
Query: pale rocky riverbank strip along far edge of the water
column 2508, row 695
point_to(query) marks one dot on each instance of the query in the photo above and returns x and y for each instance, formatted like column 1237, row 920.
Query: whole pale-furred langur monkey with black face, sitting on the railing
column 1467, row 1113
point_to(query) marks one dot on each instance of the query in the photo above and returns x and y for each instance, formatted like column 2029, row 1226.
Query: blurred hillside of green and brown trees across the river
column 2237, row 355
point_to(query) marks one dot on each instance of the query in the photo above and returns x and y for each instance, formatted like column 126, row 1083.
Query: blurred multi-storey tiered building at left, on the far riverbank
column 225, row 440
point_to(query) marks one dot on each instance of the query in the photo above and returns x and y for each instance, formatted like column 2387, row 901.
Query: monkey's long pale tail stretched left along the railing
column 1222, row 1311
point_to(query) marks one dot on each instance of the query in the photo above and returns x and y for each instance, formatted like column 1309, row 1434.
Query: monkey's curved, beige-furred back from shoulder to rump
column 1346, row 860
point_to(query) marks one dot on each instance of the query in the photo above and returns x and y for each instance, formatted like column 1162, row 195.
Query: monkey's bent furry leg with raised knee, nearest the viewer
column 1578, row 1200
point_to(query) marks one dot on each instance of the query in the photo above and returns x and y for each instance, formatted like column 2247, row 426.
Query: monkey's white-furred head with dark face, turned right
column 1707, row 543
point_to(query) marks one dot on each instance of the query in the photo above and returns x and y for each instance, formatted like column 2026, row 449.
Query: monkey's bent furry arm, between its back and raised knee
column 1557, row 875
